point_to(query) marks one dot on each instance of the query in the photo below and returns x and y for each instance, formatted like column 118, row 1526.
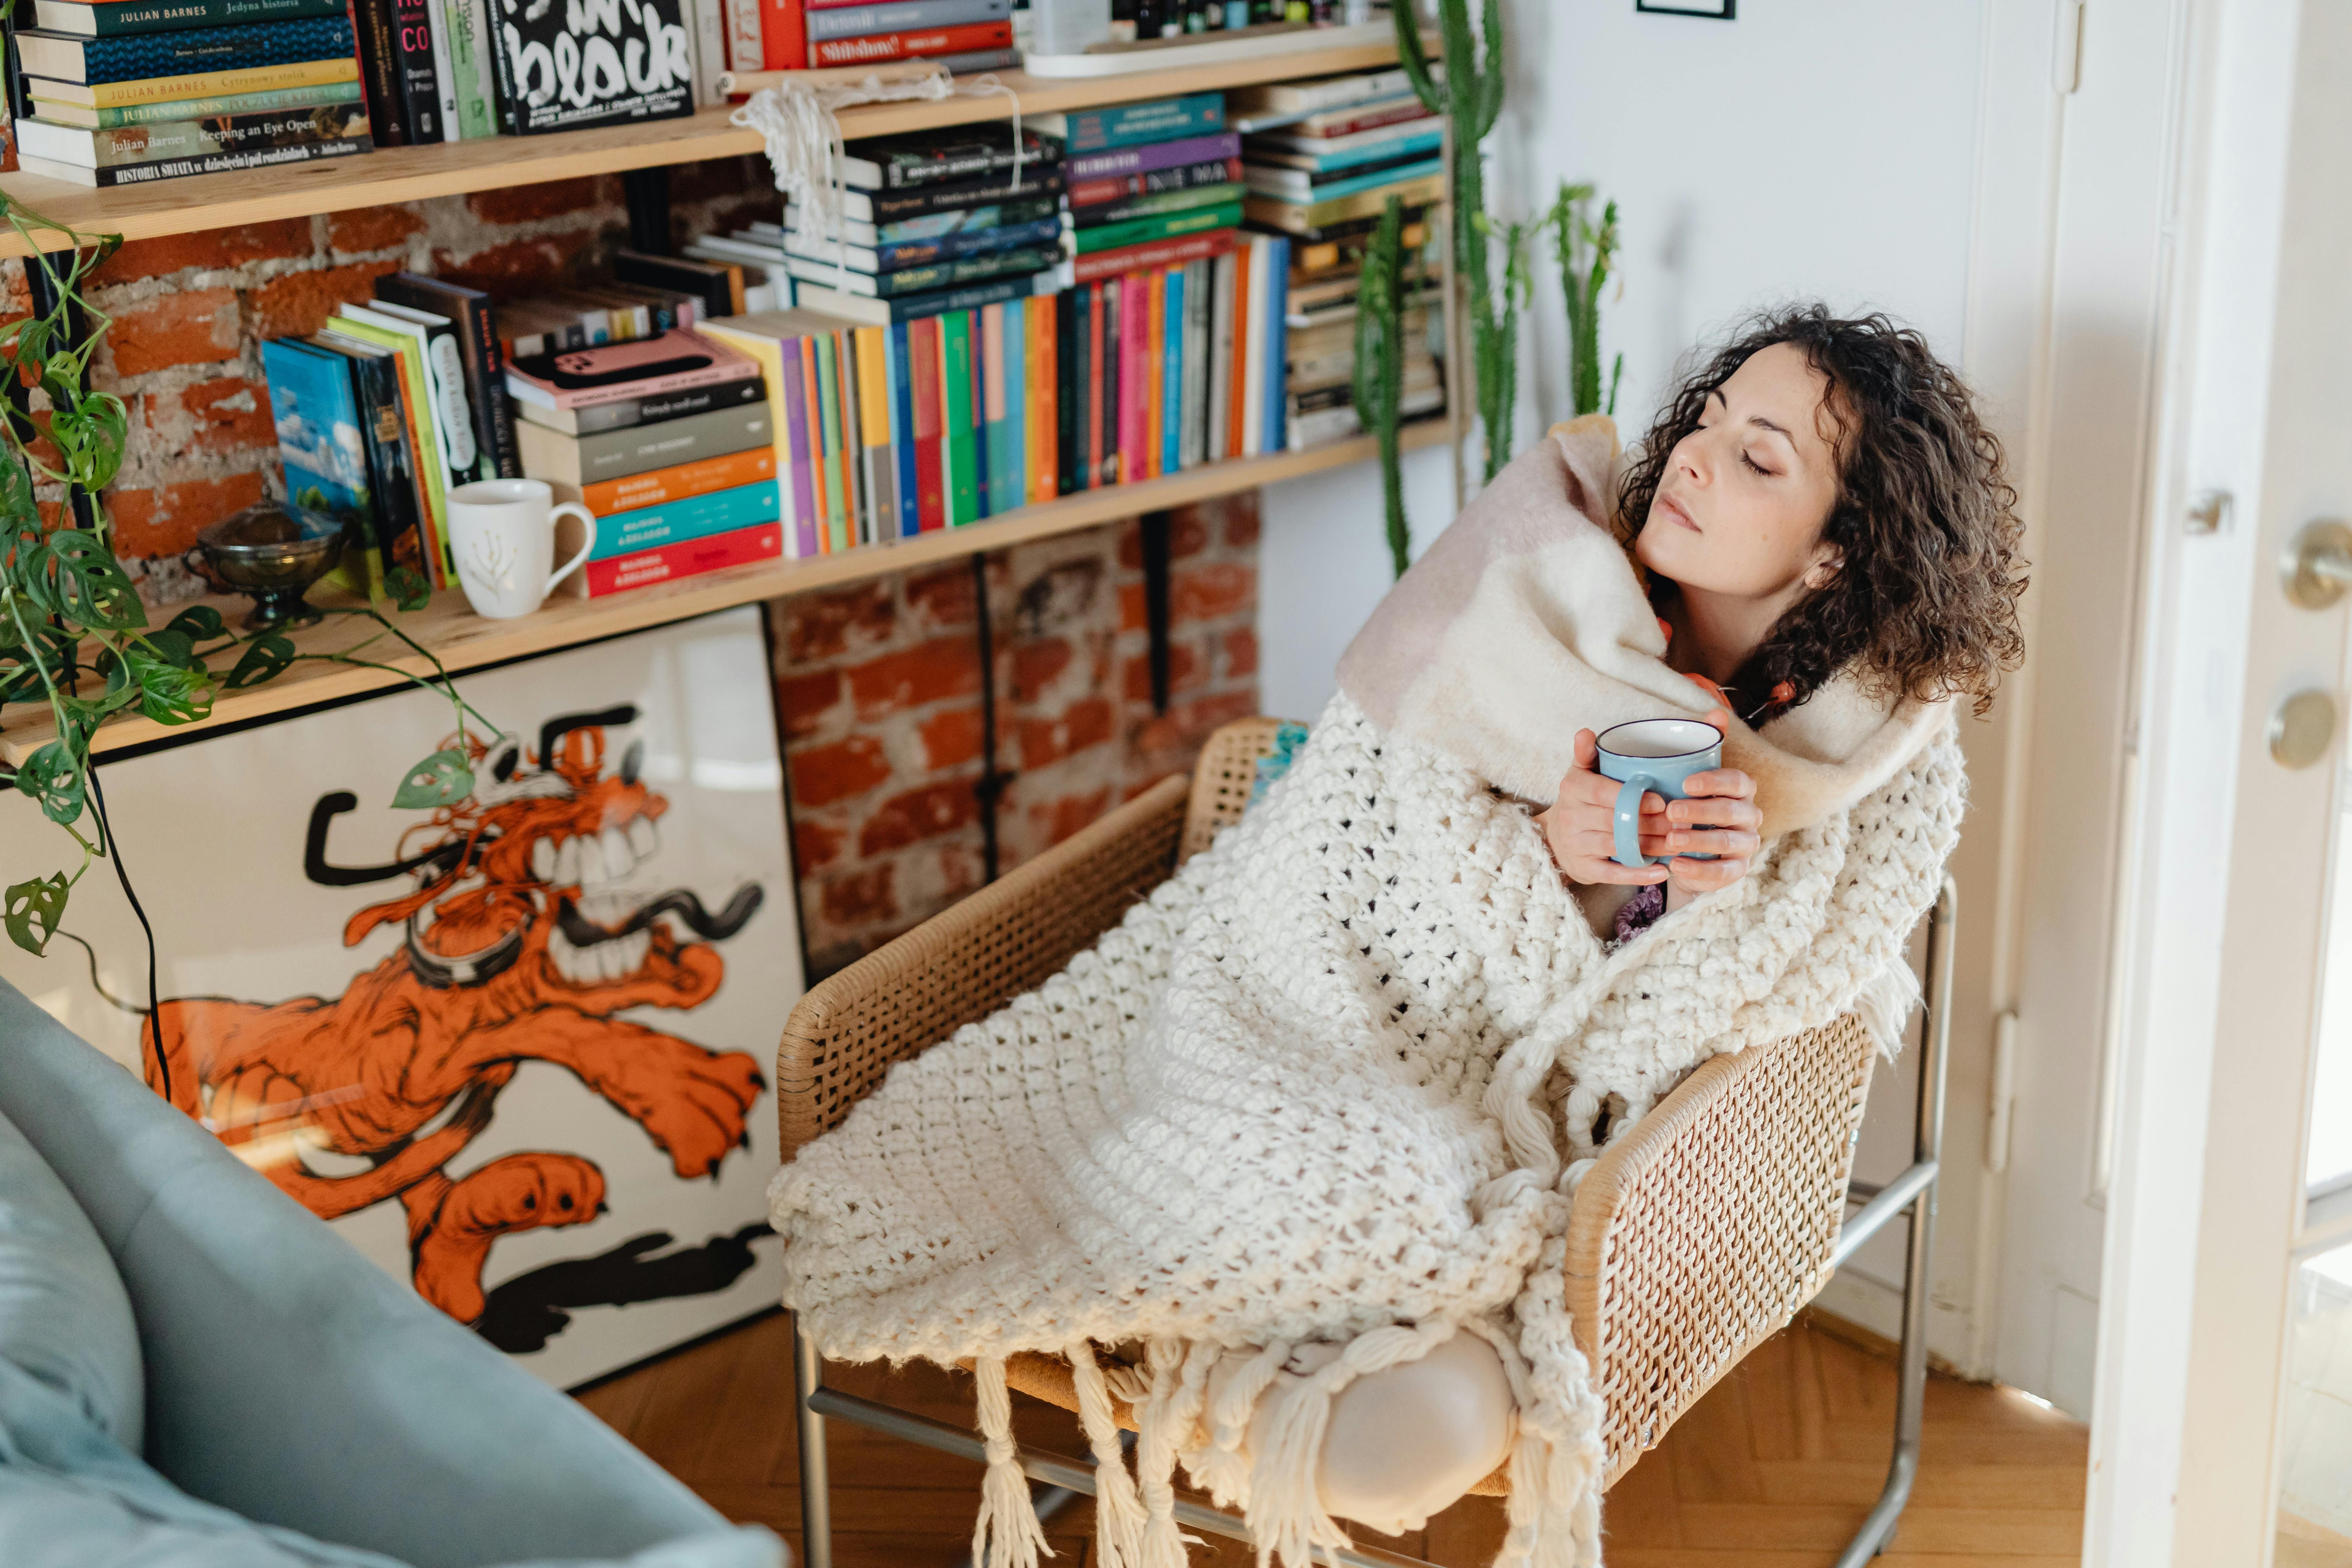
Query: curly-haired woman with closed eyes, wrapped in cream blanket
column 1285, row 1160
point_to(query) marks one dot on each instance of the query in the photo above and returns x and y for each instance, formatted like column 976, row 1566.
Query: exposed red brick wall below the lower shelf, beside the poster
column 881, row 699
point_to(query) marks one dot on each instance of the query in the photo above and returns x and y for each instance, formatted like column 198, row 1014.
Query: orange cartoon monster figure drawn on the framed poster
column 521, row 944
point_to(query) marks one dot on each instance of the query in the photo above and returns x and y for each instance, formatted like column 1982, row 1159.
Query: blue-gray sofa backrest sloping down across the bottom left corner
column 290, row 1381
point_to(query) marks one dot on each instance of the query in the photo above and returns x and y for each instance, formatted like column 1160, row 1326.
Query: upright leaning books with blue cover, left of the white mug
column 387, row 410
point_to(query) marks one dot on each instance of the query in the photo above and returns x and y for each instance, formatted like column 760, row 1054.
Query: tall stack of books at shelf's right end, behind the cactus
column 1321, row 161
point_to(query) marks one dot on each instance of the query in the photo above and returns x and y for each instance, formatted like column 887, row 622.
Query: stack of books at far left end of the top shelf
column 119, row 93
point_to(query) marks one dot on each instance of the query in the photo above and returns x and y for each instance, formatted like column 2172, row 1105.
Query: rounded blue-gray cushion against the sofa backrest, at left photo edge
column 65, row 1315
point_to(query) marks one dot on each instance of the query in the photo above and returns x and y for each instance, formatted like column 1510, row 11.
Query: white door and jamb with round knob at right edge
column 2226, row 1341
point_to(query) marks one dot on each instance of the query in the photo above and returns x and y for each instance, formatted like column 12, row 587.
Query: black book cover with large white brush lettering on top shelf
column 629, row 62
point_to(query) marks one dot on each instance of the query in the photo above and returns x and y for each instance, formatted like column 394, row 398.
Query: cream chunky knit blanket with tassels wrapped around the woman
column 1335, row 1083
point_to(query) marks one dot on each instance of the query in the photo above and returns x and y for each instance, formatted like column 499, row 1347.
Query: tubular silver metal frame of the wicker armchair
column 1911, row 1193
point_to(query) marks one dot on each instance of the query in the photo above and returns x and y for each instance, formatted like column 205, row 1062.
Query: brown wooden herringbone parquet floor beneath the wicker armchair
column 1772, row 1470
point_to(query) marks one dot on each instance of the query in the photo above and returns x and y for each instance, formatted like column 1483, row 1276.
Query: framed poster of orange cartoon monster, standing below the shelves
column 514, row 1047
